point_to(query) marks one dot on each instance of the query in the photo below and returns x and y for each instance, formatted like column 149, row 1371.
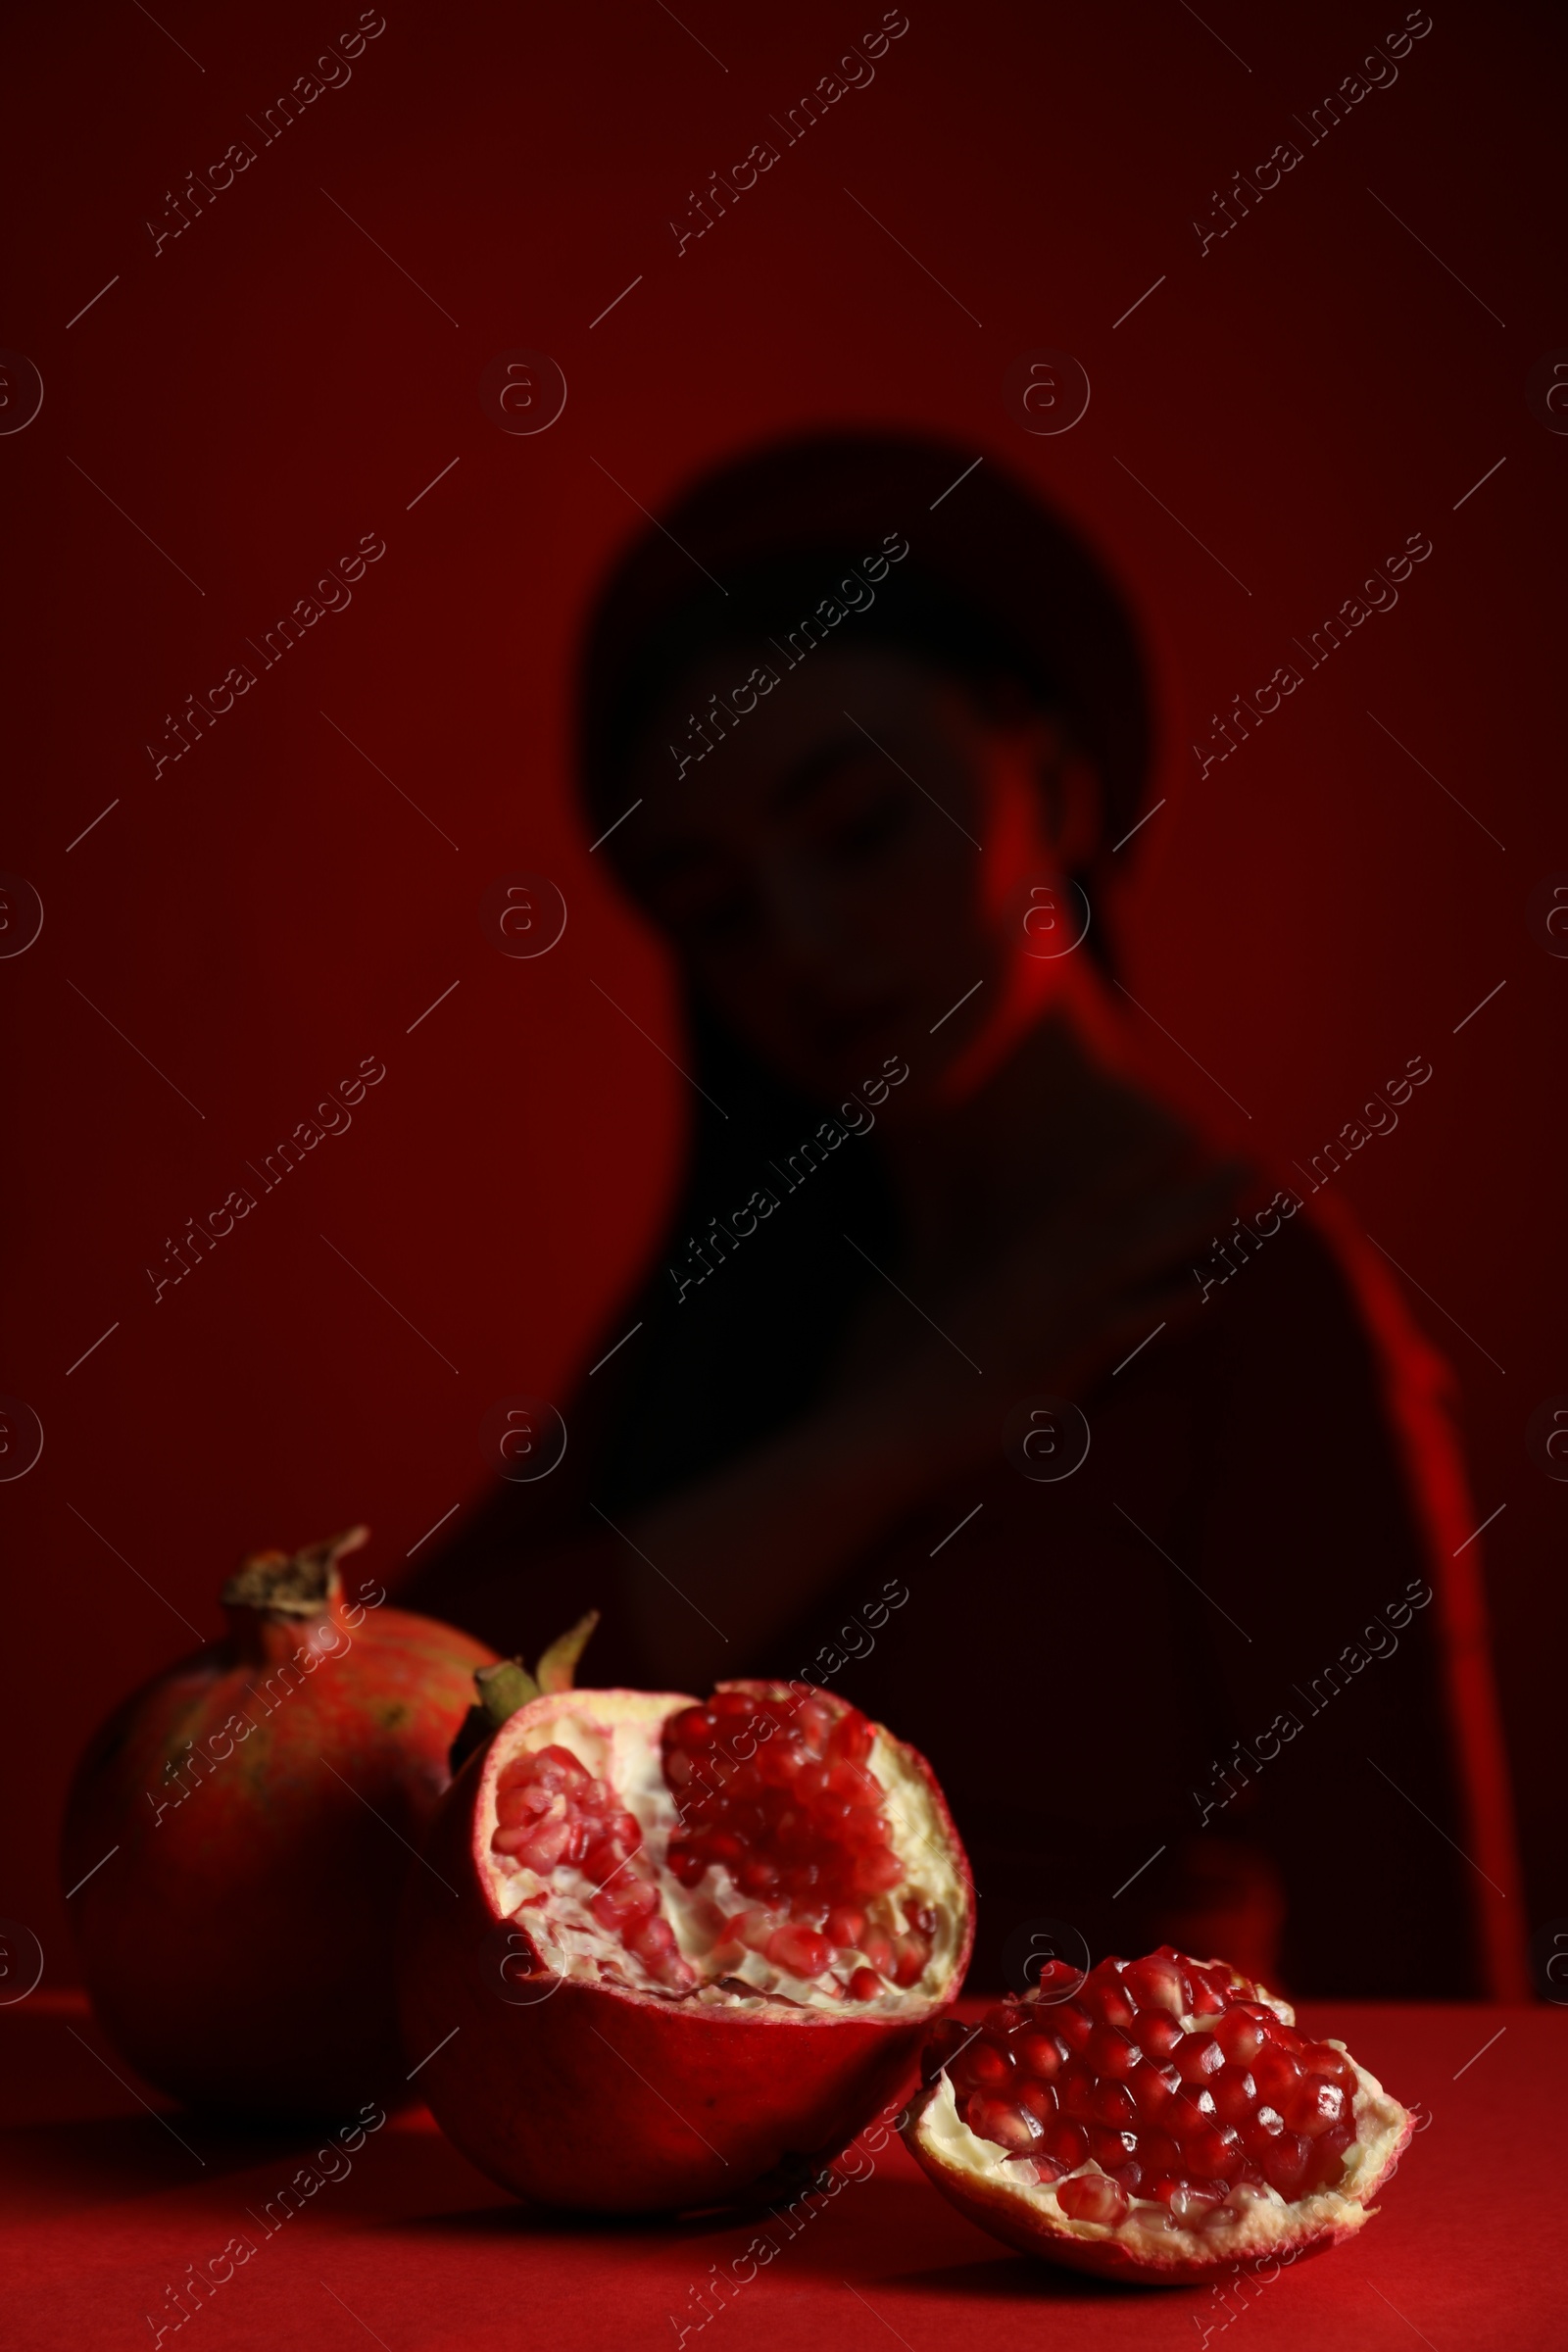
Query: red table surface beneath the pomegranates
column 105, row 2205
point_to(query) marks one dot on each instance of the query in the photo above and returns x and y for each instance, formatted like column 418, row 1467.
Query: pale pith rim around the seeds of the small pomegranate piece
column 1259, row 2226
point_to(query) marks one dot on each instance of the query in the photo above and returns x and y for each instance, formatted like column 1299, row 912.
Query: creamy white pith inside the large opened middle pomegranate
column 617, row 1737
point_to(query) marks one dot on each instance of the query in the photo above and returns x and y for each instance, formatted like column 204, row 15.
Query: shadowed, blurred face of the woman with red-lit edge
column 847, row 871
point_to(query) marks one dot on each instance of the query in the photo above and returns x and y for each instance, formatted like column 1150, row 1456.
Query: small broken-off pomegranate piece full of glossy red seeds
column 1158, row 2120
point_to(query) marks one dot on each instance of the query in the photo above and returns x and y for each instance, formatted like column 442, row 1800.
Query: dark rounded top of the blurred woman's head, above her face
column 986, row 584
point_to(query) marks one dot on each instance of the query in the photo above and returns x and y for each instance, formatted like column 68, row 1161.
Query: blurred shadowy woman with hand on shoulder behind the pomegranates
column 1219, row 1678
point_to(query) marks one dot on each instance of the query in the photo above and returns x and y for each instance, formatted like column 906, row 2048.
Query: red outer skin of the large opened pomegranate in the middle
column 605, row 2099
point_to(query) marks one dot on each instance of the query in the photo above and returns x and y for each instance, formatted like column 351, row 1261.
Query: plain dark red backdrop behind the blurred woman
column 272, row 387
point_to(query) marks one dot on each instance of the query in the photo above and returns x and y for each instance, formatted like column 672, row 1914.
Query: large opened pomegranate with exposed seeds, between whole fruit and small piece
column 697, row 1944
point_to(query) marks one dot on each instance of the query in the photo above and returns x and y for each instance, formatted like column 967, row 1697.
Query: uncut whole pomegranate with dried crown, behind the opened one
column 239, row 1833
